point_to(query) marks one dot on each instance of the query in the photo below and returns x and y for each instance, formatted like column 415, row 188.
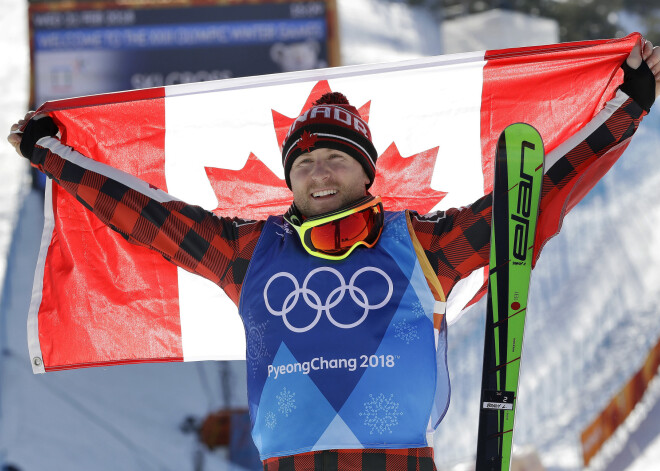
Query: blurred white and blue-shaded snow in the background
column 592, row 316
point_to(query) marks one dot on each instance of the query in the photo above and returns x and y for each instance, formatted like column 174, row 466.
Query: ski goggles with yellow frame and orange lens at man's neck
column 335, row 235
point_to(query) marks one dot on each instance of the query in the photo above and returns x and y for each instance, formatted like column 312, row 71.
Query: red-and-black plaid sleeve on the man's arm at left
column 191, row 237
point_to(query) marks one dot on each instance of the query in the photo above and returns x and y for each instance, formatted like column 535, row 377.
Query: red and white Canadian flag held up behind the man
column 98, row 300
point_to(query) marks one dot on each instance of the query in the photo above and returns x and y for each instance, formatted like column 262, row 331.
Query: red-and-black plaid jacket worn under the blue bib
column 456, row 241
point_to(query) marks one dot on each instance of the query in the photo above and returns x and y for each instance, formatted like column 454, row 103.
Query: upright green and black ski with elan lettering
column 516, row 196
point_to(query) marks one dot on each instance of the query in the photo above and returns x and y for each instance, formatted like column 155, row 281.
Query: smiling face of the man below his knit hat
column 326, row 179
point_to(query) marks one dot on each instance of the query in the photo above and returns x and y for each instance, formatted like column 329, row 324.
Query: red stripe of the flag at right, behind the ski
column 555, row 88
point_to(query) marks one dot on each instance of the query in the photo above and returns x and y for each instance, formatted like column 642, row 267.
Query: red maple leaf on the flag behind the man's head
column 255, row 192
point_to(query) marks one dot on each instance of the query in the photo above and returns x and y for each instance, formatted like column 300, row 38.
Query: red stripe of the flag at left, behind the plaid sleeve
column 88, row 262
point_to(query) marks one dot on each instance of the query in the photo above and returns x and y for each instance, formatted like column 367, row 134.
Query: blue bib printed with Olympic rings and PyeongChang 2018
column 340, row 354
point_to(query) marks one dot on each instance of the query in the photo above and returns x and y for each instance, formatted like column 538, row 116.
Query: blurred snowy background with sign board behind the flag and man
column 589, row 390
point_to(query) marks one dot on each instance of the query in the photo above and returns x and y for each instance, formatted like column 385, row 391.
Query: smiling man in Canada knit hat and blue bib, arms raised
column 349, row 372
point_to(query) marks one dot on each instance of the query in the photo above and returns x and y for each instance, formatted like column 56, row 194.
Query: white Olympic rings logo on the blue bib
column 313, row 300
